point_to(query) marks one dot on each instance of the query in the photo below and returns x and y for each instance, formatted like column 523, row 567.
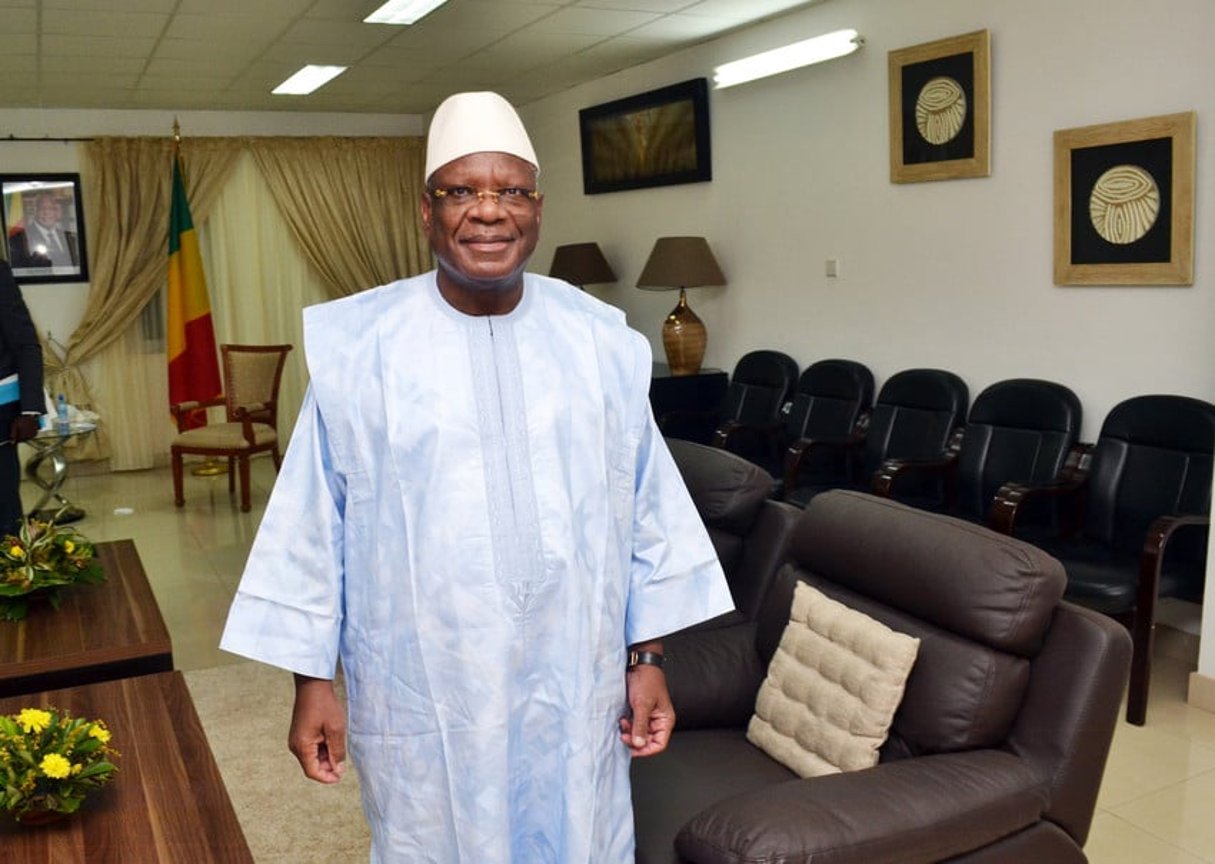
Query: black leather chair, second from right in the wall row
column 1019, row 431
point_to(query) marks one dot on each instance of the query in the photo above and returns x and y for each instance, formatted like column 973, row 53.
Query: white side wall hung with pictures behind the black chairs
column 953, row 274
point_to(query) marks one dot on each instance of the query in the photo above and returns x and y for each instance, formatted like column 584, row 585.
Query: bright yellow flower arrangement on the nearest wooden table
column 50, row 761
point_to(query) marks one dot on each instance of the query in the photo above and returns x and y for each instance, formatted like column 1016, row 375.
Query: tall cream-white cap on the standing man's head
column 476, row 123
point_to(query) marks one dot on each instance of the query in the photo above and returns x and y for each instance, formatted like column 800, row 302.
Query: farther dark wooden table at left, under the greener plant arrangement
column 112, row 630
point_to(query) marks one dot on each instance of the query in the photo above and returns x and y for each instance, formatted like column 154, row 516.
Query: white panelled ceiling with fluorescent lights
column 228, row 55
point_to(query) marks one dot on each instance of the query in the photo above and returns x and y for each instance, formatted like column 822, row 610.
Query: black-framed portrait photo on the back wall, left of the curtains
column 43, row 223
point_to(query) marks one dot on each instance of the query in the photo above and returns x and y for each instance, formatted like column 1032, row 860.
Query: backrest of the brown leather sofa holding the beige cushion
column 981, row 605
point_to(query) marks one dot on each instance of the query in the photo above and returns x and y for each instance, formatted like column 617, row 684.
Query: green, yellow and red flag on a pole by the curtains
column 194, row 370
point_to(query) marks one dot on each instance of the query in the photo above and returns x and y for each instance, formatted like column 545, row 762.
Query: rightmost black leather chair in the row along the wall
column 1144, row 513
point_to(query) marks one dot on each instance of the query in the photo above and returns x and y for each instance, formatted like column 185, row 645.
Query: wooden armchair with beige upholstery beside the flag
column 252, row 375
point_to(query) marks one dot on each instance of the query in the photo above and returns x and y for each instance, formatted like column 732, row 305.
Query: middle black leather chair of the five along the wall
column 914, row 417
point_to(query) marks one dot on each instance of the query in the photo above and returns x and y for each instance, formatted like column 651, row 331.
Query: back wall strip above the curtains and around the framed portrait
column 59, row 308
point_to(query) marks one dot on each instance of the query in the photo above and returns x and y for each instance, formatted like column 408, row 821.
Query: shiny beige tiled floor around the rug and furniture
column 1157, row 805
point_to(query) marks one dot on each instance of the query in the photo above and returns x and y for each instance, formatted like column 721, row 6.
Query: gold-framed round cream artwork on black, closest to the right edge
column 1124, row 204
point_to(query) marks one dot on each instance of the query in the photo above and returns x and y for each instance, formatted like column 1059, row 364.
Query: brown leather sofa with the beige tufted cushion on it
column 997, row 750
